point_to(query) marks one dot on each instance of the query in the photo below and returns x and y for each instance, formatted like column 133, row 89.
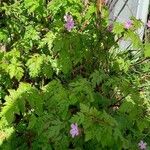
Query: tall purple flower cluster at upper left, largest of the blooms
column 69, row 25
